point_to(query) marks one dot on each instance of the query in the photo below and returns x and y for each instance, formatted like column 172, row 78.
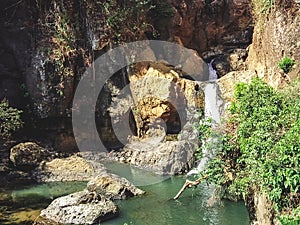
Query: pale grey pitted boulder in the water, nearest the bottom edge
column 80, row 208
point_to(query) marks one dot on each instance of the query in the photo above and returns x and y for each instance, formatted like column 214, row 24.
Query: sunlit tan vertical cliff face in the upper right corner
column 275, row 36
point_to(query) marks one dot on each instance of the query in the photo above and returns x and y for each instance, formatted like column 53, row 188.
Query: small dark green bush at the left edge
column 10, row 120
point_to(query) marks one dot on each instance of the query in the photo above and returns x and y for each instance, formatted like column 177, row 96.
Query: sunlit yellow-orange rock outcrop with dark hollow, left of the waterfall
column 164, row 93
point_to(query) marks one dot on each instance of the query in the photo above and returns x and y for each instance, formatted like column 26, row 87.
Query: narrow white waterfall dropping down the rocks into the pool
column 213, row 110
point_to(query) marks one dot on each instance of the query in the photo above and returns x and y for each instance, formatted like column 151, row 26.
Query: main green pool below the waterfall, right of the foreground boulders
column 157, row 207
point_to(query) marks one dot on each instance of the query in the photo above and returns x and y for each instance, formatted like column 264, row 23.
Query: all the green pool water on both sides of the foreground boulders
column 20, row 205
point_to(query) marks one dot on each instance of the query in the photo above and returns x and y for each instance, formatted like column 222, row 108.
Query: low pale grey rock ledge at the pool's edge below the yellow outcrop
column 164, row 157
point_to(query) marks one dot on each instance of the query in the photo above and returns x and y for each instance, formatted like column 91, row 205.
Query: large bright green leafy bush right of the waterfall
column 260, row 147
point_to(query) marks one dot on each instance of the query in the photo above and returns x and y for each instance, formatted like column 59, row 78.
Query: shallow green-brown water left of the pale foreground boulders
column 21, row 204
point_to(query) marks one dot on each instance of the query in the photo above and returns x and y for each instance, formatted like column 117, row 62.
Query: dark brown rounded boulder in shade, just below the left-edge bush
column 28, row 155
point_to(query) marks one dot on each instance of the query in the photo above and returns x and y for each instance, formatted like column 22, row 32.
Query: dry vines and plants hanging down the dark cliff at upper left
column 59, row 35
